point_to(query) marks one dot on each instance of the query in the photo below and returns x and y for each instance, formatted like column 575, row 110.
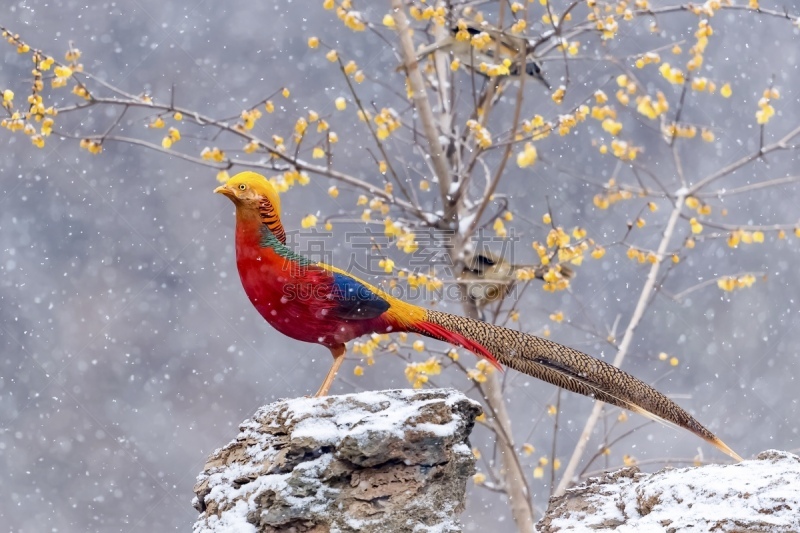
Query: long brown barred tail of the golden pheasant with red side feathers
column 563, row 367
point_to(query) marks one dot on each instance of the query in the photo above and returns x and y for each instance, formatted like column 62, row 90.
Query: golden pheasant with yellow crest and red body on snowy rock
column 319, row 303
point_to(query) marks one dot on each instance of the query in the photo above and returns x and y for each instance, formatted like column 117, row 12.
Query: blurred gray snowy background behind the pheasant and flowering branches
column 128, row 350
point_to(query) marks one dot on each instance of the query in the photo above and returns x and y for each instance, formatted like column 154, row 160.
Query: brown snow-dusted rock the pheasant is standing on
column 376, row 461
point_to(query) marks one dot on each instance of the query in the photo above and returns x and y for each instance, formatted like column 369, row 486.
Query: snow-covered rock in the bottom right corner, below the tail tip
column 756, row 495
